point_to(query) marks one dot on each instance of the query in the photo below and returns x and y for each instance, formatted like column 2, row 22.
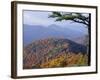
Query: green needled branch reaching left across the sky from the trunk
column 75, row 17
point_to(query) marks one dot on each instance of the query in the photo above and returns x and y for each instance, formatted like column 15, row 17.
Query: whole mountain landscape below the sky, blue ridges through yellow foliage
column 53, row 46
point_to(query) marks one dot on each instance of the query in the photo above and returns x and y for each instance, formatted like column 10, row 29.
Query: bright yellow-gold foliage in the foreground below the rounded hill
column 64, row 60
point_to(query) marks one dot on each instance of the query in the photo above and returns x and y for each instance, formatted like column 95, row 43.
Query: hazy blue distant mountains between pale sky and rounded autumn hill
column 36, row 32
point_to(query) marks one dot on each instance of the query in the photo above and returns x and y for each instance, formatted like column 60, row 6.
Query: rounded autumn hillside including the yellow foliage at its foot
column 54, row 52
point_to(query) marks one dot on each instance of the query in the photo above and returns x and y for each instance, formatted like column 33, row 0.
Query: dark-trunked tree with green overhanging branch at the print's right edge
column 74, row 17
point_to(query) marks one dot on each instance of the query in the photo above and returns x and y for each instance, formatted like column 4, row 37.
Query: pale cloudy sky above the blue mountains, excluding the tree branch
column 41, row 18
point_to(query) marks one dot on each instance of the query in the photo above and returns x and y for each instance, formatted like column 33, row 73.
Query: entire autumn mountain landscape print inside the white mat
column 61, row 40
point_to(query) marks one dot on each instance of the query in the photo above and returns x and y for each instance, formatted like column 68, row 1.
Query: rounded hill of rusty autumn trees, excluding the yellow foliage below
column 41, row 51
